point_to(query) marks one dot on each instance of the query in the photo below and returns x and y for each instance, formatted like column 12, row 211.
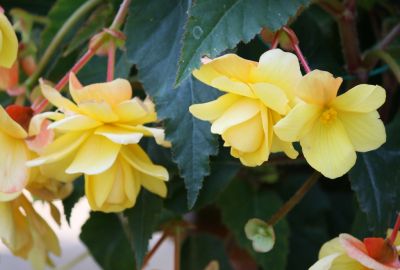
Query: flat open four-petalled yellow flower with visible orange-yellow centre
column 332, row 128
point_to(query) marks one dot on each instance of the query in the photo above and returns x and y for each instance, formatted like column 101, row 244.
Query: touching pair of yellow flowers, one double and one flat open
column 269, row 105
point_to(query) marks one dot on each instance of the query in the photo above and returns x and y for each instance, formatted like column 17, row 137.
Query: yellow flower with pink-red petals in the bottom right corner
column 347, row 252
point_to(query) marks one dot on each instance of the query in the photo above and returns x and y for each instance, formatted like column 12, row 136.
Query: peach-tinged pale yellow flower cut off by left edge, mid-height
column 14, row 174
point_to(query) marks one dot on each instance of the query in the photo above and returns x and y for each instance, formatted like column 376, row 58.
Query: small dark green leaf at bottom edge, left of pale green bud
column 199, row 250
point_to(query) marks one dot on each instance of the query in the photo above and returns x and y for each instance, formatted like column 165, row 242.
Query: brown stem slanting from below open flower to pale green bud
column 295, row 199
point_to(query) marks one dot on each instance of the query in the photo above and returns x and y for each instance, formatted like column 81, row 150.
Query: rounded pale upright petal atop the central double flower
column 278, row 68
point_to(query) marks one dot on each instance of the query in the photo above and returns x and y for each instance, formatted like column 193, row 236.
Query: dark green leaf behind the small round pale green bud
column 238, row 204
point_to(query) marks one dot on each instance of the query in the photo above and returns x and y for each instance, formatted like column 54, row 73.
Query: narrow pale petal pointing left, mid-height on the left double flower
column 75, row 122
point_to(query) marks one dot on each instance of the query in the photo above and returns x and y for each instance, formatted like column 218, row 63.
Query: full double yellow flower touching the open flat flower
column 258, row 94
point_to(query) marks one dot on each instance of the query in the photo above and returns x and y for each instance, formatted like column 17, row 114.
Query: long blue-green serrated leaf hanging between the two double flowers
column 154, row 30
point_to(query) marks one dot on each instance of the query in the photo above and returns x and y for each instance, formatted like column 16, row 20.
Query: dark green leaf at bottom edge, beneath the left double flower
column 104, row 237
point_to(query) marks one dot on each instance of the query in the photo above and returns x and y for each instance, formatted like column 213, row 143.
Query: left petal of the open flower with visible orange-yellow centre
column 298, row 122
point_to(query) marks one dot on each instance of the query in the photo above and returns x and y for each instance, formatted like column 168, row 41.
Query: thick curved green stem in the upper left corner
column 58, row 38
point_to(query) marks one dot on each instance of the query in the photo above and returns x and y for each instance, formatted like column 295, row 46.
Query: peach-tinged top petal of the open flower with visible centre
column 318, row 87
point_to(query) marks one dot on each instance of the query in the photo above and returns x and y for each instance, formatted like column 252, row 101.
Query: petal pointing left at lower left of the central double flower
column 210, row 111
